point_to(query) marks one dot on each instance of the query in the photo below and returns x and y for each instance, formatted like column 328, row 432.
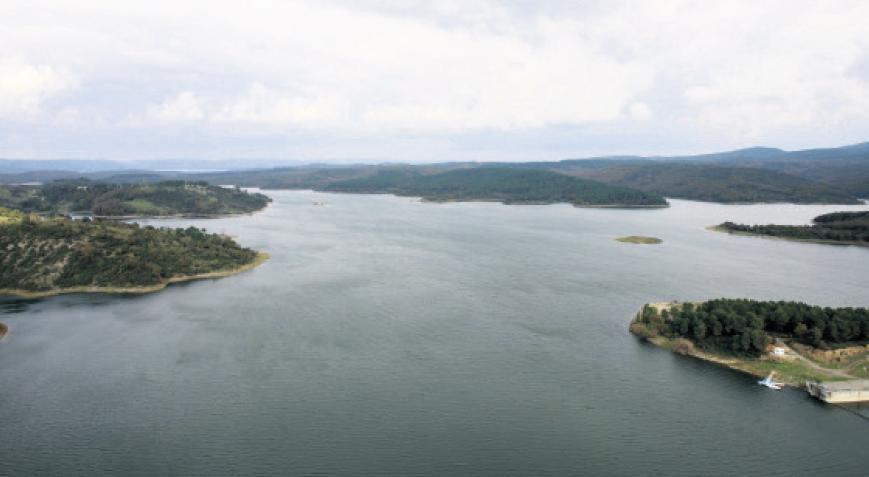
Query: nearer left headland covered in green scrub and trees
column 38, row 254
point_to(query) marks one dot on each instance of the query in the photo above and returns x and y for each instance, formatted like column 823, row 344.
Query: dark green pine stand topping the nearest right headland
column 747, row 327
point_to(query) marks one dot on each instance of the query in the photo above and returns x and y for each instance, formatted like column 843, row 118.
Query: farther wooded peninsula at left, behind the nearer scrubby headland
column 153, row 199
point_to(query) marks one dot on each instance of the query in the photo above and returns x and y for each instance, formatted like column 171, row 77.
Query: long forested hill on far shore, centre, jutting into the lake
column 510, row 186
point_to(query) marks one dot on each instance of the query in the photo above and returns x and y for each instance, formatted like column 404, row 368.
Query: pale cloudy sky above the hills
column 422, row 81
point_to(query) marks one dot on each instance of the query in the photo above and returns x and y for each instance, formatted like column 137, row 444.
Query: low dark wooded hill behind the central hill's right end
column 715, row 183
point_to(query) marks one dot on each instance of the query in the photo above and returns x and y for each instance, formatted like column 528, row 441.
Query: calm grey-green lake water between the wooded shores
column 392, row 337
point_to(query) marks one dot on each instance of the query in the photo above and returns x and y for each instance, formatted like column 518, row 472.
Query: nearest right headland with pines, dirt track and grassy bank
column 803, row 345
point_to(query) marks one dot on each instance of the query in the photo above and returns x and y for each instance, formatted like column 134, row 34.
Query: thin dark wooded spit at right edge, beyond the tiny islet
column 837, row 227
